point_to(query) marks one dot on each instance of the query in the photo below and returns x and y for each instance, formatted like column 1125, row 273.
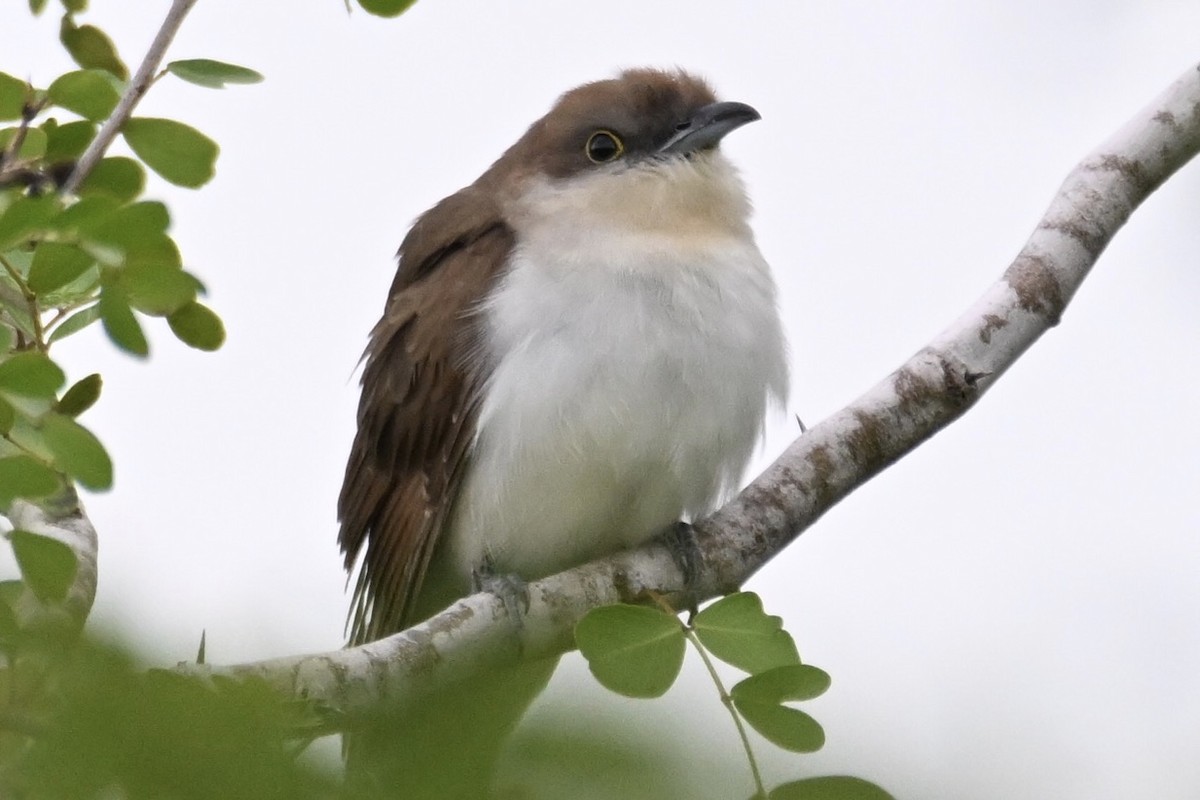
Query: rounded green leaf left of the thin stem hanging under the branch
column 632, row 651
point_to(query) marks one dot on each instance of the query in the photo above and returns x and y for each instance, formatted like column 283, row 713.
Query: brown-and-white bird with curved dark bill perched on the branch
column 579, row 351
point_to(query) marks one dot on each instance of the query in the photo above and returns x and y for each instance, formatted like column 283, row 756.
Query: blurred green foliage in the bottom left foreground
column 93, row 724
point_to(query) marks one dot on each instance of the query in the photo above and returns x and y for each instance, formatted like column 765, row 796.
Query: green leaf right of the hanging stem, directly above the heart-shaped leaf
column 739, row 633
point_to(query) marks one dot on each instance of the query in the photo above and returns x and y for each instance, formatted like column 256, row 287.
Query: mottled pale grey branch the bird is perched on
column 923, row 396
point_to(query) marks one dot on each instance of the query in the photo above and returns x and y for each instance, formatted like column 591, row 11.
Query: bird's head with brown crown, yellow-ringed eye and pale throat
column 638, row 152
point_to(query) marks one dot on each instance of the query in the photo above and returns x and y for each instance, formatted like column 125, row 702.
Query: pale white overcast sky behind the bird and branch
column 1011, row 612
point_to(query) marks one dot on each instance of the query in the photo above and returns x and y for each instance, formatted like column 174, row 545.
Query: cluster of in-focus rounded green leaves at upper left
column 103, row 254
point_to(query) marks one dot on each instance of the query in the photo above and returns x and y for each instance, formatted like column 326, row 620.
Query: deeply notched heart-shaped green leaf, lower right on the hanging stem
column 760, row 700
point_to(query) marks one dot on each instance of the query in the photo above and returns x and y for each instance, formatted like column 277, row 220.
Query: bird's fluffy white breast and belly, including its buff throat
column 633, row 369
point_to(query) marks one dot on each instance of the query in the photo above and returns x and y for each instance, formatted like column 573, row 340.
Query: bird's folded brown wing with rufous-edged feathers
column 417, row 416
